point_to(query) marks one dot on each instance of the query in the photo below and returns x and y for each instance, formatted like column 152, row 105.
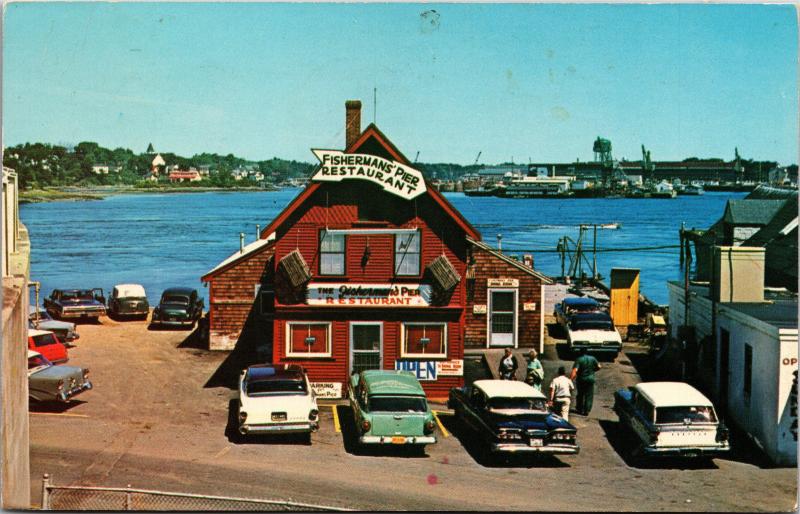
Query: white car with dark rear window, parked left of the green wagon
column 276, row 399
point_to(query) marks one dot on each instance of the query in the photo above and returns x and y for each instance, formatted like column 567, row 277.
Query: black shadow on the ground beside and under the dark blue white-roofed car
column 478, row 450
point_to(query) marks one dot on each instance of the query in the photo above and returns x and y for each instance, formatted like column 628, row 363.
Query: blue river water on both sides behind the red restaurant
column 164, row 240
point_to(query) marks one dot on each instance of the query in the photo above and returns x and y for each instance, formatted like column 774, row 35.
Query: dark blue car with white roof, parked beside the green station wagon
column 511, row 416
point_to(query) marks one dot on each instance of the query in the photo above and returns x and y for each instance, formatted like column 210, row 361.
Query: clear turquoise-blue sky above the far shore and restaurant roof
column 516, row 82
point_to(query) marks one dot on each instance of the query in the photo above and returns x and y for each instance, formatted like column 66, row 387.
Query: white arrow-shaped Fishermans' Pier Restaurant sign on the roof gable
column 394, row 177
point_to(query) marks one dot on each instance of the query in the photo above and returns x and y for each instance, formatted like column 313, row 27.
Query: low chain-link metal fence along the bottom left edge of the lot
column 71, row 498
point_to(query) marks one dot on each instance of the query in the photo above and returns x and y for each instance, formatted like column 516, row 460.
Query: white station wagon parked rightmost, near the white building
column 671, row 419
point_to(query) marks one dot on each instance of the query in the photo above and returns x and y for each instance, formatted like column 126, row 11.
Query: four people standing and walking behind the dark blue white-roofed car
column 581, row 378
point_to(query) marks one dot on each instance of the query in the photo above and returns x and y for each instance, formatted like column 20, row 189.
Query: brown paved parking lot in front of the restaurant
column 158, row 418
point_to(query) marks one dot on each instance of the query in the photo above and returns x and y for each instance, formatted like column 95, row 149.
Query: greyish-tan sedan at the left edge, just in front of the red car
column 47, row 382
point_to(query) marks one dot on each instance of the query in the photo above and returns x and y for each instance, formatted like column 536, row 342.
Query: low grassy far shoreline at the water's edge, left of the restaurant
column 82, row 194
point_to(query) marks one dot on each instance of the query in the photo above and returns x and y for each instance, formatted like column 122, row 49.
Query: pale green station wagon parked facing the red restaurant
column 389, row 407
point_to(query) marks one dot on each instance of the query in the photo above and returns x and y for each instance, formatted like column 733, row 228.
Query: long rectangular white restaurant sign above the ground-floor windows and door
column 369, row 295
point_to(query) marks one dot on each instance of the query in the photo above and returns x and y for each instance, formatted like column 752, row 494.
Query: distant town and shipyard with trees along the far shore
column 87, row 164
